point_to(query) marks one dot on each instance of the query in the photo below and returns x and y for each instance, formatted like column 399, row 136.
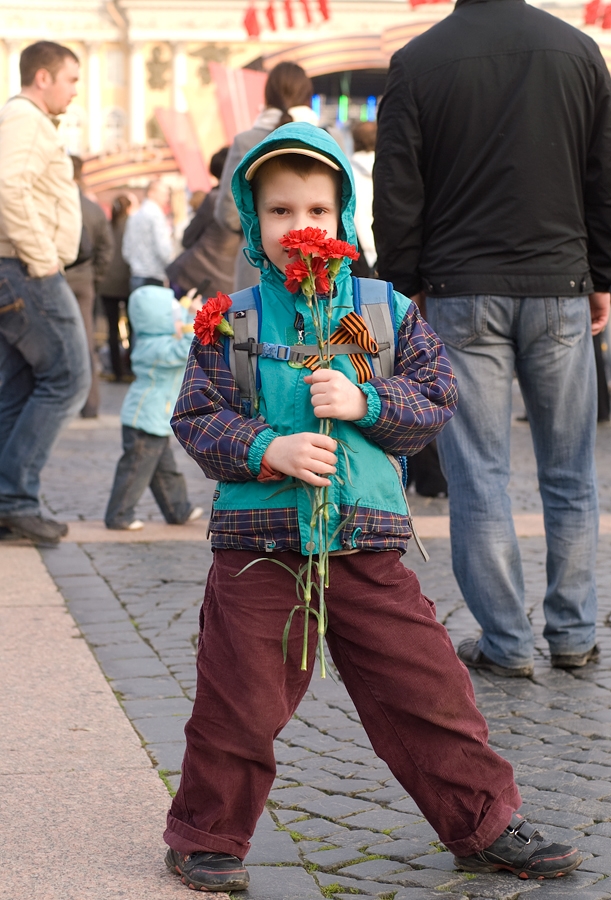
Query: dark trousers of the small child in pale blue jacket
column 147, row 461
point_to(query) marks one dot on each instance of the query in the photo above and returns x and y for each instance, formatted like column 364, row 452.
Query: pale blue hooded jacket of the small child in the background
column 158, row 360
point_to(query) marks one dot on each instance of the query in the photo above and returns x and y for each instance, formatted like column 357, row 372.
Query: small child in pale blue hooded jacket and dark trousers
column 163, row 338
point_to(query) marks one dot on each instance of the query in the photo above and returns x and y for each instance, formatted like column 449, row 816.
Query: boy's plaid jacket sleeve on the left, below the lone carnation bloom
column 208, row 420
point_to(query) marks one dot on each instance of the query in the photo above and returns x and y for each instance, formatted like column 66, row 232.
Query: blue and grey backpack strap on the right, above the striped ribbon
column 373, row 300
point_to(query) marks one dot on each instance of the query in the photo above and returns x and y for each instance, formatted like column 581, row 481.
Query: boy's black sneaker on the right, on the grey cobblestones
column 523, row 851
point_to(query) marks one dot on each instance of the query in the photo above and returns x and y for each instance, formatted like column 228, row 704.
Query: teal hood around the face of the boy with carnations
column 293, row 134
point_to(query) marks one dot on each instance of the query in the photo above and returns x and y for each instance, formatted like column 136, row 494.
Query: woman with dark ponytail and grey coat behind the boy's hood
column 288, row 98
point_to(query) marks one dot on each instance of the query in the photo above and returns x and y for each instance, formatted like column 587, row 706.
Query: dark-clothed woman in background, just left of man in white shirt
column 114, row 289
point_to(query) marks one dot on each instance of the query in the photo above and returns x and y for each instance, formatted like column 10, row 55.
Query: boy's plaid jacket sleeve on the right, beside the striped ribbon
column 421, row 396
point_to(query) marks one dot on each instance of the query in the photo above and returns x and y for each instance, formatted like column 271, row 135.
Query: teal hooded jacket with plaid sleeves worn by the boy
column 404, row 412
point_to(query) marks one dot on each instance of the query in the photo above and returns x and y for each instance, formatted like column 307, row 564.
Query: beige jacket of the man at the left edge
column 40, row 211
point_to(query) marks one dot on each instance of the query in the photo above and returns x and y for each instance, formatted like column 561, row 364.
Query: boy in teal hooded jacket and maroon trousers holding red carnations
column 414, row 697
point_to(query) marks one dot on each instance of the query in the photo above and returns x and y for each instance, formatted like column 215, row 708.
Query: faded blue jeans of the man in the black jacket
column 547, row 342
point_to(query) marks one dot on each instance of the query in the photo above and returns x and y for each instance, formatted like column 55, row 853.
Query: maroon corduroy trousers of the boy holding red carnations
column 414, row 698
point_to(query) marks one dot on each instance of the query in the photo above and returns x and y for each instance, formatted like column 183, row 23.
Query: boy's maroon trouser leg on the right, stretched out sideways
column 416, row 701
